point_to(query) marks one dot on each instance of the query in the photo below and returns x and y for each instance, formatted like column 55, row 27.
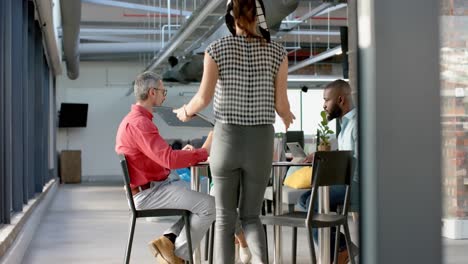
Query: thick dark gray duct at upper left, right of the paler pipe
column 71, row 17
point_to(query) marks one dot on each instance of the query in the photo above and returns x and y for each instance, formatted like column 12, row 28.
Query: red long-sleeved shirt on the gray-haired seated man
column 148, row 155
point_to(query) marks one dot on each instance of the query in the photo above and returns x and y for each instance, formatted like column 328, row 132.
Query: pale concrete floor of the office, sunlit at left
column 88, row 223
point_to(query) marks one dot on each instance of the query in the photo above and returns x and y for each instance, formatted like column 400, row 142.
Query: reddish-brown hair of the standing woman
column 245, row 14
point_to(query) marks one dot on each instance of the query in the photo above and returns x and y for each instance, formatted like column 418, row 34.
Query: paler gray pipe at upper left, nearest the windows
column 46, row 21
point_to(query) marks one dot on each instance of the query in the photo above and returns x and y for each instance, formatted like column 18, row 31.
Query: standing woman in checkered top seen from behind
column 247, row 75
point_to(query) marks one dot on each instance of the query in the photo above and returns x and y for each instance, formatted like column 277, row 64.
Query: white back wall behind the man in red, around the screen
column 104, row 86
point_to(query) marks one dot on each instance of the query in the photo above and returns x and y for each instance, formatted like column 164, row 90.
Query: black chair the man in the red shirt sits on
column 149, row 213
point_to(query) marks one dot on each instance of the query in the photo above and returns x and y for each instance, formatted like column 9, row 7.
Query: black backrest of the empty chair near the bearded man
column 331, row 168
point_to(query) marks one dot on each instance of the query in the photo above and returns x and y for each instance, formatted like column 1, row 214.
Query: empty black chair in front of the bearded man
column 330, row 168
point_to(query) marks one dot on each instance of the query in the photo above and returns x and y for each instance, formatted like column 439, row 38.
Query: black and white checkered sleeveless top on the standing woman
column 245, row 91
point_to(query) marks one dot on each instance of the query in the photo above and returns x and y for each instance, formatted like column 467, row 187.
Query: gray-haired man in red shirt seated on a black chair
column 150, row 161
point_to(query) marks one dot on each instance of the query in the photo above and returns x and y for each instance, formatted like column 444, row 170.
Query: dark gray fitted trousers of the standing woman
column 240, row 159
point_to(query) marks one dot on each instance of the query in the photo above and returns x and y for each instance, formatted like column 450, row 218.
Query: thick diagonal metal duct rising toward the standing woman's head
column 185, row 31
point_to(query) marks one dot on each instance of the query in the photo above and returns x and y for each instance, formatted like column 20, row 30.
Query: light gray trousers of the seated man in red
column 176, row 194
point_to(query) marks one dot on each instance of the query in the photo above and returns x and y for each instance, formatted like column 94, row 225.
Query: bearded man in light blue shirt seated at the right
column 338, row 103
